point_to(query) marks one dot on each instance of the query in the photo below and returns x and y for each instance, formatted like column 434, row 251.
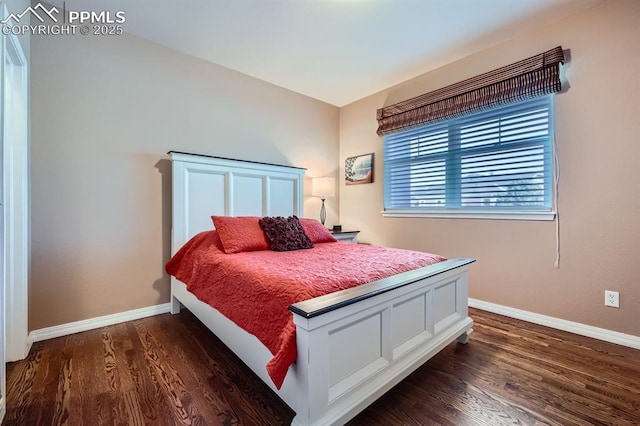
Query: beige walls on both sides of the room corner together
column 105, row 110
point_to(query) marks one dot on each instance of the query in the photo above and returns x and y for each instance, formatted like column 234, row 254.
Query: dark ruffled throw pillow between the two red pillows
column 285, row 234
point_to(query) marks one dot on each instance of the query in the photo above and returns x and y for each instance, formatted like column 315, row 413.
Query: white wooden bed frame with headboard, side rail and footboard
column 353, row 345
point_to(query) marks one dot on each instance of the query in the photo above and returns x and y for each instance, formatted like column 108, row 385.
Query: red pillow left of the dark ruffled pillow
column 238, row 234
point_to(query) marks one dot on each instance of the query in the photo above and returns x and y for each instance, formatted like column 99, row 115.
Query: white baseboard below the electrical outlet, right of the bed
column 559, row 324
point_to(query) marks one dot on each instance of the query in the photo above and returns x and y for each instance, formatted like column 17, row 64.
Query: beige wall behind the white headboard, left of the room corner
column 105, row 110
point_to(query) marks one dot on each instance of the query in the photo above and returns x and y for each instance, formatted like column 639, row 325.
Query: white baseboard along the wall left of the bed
column 93, row 323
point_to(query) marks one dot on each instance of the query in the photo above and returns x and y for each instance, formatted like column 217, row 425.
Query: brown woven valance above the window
column 535, row 76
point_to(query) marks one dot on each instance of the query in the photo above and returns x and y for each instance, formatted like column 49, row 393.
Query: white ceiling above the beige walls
column 337, row 51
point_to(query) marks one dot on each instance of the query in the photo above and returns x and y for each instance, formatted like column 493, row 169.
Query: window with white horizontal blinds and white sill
column 497, row 163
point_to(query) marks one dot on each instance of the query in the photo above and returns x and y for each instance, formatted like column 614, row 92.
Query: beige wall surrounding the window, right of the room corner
column 598, row 140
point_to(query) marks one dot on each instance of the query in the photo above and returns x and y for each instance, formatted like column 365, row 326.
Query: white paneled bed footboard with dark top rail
column 356, row 344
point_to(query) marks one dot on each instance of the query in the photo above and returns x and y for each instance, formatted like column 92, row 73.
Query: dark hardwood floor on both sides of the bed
column 170, row 370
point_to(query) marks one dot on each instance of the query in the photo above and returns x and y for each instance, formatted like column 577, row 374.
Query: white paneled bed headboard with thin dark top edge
column 204, row 186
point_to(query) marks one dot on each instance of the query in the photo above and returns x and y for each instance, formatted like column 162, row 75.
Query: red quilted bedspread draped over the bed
column 255, row 289
